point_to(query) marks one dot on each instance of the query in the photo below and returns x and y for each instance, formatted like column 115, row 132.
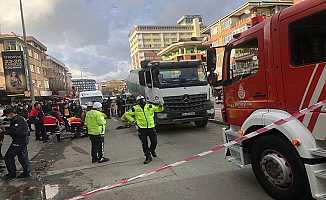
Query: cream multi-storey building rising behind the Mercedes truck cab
column 146, row 41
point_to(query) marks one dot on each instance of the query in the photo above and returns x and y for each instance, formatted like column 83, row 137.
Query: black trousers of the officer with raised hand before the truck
column 144, row 134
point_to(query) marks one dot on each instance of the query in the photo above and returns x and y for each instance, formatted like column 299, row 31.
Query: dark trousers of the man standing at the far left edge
column 21, row 152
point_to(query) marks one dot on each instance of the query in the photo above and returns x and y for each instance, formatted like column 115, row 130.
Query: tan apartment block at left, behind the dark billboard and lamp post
column 45, row 70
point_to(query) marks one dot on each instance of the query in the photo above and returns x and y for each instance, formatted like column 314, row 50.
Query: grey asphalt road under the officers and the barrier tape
column 68, row 170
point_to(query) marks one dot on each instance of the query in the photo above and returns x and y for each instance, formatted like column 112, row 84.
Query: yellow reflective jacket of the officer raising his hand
column 144, row 118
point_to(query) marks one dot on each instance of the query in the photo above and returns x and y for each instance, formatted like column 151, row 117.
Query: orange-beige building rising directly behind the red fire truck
column 222, row 30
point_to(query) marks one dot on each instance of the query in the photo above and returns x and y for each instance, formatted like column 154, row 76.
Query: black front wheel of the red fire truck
column 279, row 169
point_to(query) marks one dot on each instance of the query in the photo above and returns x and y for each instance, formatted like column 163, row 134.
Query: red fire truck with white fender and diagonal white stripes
column 276, row 68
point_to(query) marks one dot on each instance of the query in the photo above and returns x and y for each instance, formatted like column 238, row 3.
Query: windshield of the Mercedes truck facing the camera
column 180, row 77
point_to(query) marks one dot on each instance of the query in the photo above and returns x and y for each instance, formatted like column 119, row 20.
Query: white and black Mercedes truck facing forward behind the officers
column 181, row 86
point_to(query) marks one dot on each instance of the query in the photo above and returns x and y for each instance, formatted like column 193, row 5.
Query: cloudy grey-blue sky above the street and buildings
column 92, row 35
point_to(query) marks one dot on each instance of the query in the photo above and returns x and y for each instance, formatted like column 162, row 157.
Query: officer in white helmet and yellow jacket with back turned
column 95, row 122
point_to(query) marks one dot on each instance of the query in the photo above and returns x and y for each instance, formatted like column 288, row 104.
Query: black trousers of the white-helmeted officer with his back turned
column 97, row 147
